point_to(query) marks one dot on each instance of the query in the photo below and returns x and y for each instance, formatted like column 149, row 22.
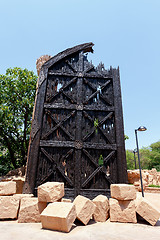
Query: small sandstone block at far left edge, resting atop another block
column 7, row 188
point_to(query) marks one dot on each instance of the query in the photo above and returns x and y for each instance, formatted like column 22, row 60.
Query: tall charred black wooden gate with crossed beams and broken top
column 77, row 132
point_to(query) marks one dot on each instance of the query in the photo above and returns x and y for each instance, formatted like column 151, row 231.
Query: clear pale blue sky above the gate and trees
column 126, row 33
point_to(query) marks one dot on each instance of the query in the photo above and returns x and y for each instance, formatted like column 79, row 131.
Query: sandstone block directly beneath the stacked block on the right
column 122, row 211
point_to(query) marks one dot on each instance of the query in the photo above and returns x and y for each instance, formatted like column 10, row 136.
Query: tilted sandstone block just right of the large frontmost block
column 84, row 208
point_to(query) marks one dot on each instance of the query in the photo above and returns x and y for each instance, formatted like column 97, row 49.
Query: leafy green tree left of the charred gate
column 17, row 92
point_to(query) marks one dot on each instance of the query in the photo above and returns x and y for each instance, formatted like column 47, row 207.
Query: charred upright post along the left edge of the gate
column 33, row 150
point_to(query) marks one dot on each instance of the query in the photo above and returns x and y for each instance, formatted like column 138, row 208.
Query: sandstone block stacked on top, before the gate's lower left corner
column 50, row 192
